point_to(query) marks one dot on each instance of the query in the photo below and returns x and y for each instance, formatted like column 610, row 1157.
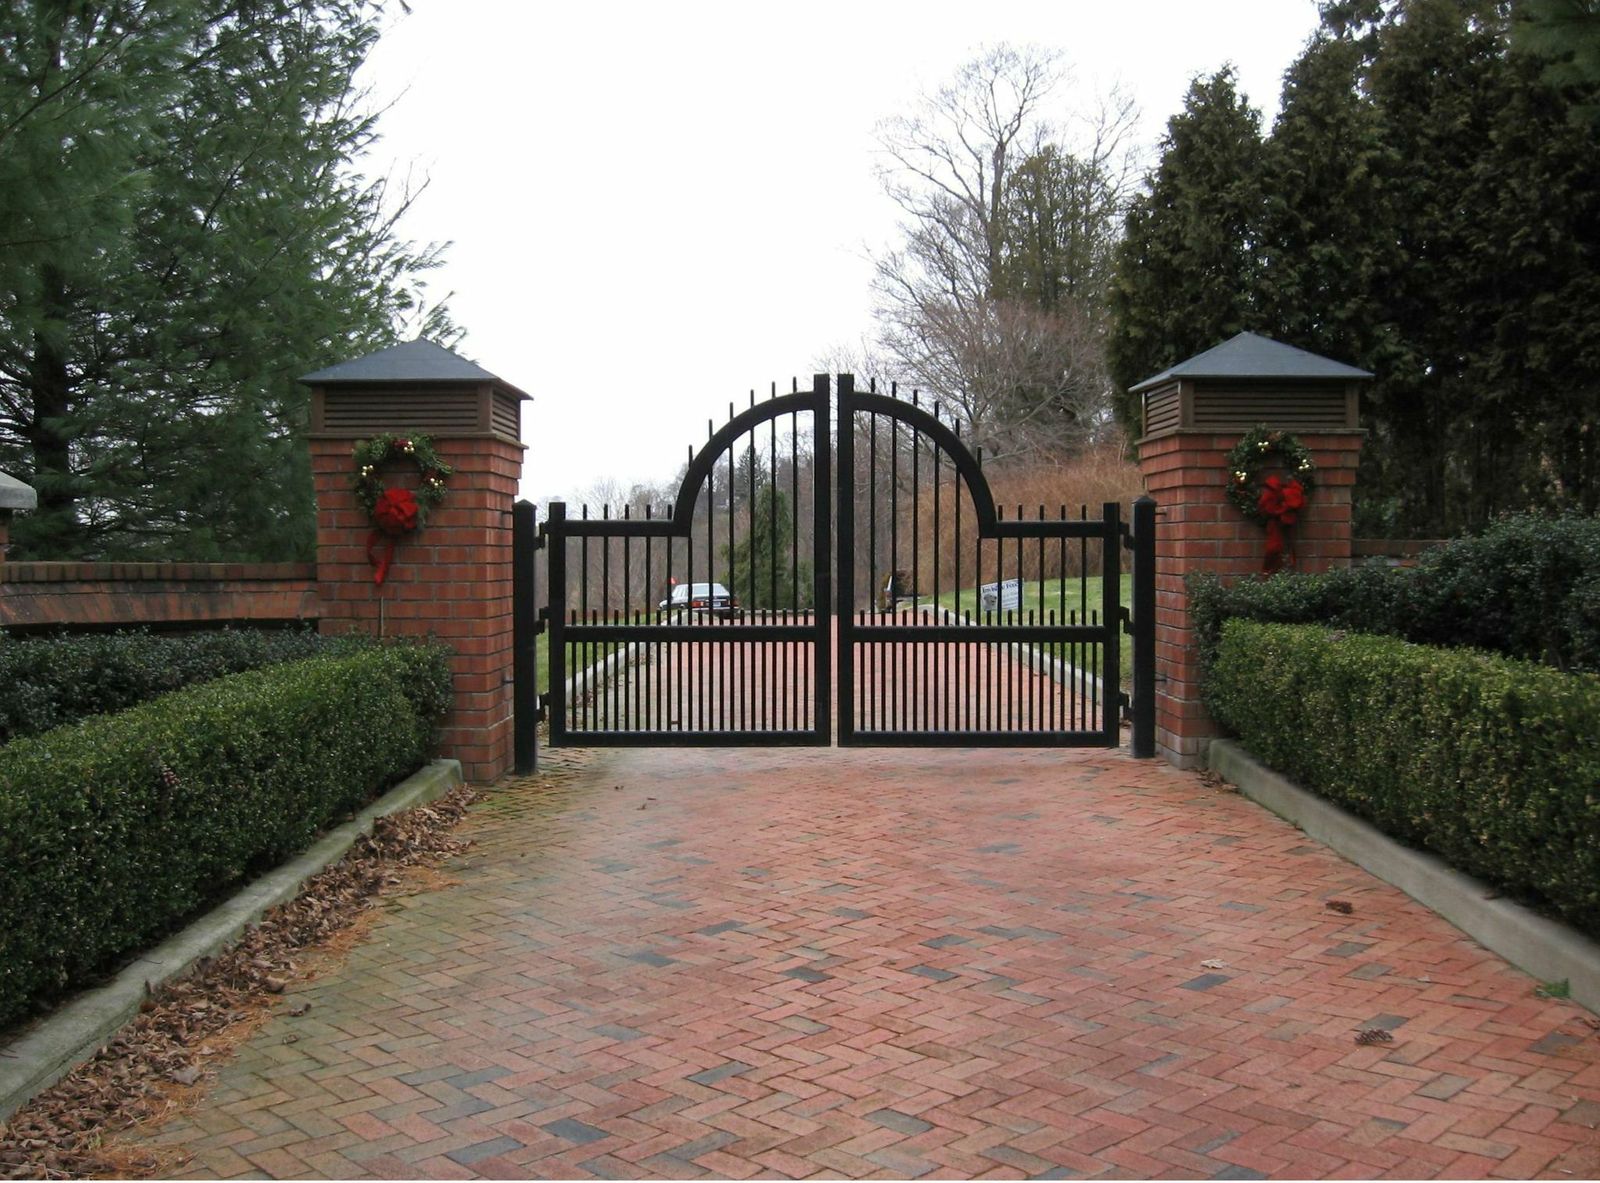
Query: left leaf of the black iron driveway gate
column 711, row 624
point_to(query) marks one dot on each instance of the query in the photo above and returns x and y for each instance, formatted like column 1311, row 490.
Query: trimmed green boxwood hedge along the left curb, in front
column 119, row 828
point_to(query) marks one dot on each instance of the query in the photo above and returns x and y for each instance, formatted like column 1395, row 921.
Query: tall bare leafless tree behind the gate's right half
column 994, row 302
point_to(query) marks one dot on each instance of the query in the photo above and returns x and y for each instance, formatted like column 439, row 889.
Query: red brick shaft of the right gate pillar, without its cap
column 1201, row 531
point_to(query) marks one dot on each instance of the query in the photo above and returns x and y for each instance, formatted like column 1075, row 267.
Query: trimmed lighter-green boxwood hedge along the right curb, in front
column 1490, row 763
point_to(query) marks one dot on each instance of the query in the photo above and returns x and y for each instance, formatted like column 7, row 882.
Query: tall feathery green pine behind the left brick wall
column 185, row 236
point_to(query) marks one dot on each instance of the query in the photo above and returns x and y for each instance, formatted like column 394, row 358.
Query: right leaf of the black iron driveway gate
column 956, row 625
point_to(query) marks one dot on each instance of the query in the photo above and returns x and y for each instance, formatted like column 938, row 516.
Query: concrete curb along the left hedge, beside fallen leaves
column 52, row 1046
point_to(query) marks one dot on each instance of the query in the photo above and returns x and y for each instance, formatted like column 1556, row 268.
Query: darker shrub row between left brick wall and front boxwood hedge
column 54, row 681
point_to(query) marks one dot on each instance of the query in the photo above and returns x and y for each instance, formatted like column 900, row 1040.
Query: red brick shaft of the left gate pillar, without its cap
column 450, row 580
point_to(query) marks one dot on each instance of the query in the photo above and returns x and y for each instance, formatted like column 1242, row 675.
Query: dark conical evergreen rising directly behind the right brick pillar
column 1188, row 268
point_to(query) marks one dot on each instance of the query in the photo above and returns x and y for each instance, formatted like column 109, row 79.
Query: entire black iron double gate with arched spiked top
column 759, row 609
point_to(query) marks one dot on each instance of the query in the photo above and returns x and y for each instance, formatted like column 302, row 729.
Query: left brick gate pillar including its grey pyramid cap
column 454, row 577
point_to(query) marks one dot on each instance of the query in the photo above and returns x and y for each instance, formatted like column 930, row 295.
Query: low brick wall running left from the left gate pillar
column 42, row 595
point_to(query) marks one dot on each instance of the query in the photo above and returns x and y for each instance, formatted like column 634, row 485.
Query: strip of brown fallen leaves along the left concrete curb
column 154, row 1065
